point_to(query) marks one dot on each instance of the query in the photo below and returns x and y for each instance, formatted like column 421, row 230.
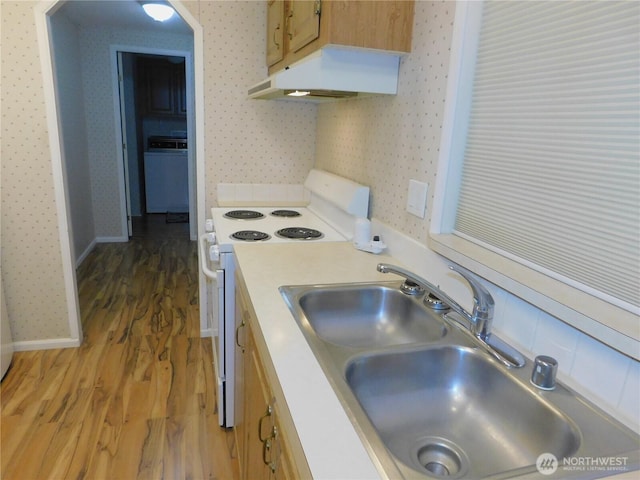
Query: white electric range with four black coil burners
column 336, row 203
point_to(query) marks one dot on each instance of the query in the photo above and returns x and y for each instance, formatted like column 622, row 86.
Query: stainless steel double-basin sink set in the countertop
column 429, row 402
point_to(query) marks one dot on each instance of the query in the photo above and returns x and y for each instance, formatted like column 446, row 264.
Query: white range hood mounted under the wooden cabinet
column 333, row 73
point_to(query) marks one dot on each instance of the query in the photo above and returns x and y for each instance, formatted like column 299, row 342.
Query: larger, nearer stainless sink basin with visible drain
column 448, row 411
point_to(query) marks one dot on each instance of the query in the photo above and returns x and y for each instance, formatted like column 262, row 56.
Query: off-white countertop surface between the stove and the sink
column 331, row 444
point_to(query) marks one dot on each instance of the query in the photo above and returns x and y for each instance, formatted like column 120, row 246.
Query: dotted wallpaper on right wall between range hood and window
column 385, row 142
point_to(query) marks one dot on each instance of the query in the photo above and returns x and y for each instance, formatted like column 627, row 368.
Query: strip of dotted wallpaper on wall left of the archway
column 31, row 259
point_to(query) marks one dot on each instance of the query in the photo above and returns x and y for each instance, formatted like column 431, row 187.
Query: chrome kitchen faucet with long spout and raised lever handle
column 480, row 319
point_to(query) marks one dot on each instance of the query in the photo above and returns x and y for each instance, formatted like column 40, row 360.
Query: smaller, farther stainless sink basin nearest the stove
column 366, row 316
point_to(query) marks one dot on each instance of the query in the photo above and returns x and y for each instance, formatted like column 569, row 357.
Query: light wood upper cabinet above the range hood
column 296, row 28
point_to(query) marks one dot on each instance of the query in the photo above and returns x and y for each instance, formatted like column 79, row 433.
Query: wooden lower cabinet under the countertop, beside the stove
column 263, row 447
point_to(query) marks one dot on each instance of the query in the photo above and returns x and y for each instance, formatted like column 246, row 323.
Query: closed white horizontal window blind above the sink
column 551, row 173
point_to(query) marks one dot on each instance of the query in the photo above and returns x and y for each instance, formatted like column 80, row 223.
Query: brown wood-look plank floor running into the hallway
column 137, row 399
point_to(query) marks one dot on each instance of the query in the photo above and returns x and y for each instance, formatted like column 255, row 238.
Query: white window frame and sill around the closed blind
column 610, row 324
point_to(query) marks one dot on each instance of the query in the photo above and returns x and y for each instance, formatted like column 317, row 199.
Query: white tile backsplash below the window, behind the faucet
column 610, row 379
